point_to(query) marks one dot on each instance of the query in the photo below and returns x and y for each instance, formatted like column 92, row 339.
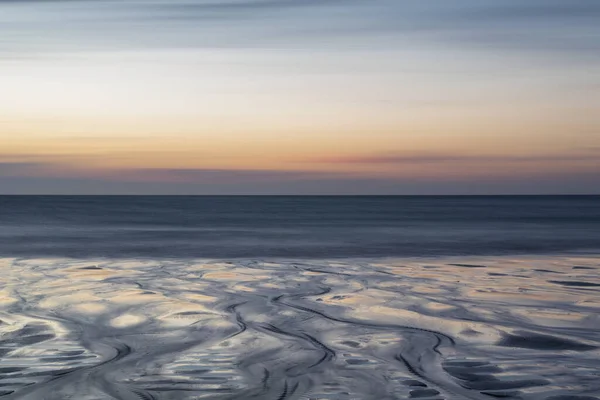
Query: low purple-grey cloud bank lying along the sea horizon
column 567, row 183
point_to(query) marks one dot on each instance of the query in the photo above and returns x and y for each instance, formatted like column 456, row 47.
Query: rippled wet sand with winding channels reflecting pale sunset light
column 454, row 328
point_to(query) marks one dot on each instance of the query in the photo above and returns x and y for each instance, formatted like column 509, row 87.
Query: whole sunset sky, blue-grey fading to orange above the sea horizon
column 299, row 97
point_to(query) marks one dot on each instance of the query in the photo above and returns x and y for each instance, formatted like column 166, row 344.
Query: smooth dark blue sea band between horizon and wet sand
column 296, row 226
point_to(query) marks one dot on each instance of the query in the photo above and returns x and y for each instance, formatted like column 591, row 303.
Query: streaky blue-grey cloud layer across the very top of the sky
column 88, row 25
